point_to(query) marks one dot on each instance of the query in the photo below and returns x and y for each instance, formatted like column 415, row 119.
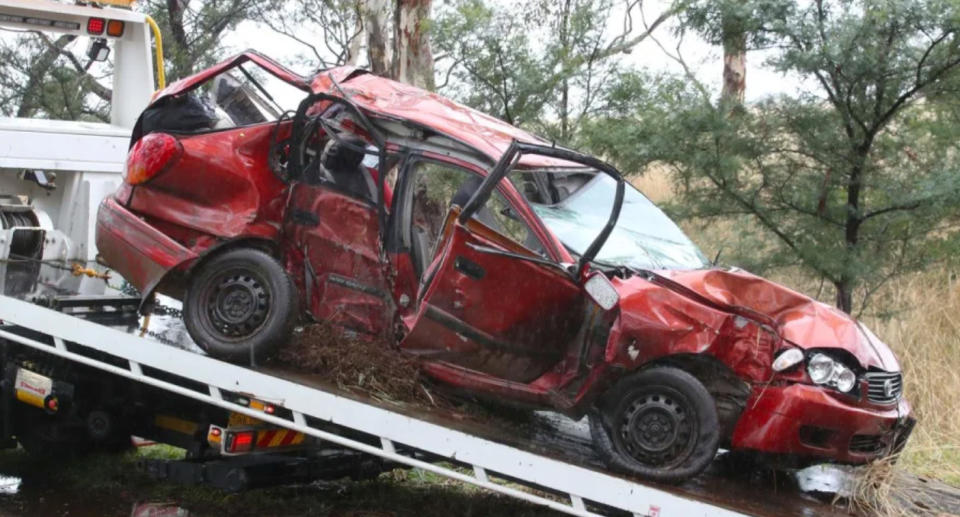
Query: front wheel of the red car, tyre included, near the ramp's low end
column 660, row 423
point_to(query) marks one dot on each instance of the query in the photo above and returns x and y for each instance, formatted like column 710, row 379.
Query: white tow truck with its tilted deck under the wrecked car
column 80, row 372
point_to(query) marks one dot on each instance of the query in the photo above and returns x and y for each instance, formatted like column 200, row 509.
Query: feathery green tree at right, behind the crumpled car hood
column 856, row 178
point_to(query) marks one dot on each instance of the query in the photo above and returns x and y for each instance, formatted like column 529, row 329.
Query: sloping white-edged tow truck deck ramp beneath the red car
column 574, row 486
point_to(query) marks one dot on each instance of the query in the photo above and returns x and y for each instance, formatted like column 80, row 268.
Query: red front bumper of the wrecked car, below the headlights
column 808, row 421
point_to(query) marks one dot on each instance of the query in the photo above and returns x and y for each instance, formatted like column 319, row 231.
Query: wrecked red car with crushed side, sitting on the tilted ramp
column 515, row 270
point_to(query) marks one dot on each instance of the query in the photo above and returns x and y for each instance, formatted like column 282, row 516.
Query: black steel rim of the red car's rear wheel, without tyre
column 237, row 302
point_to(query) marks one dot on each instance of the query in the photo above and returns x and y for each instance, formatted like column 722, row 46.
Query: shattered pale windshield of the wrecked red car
column 644, row 236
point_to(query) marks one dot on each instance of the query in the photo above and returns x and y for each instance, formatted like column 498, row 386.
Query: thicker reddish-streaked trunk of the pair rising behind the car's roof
column 413, row 61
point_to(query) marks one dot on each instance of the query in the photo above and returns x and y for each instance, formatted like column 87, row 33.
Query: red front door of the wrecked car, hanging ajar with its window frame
column 490, row 300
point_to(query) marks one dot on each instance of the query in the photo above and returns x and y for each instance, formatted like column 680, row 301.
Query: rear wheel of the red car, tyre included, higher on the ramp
column 240, row 305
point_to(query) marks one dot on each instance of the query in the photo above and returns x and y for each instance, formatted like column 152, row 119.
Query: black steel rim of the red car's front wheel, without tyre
column 657, row 428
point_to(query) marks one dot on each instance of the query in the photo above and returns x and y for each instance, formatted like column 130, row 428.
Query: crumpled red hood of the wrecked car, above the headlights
column 800, row 320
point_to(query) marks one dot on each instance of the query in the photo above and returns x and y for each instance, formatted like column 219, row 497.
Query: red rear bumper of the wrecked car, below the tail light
column 138, row 251
